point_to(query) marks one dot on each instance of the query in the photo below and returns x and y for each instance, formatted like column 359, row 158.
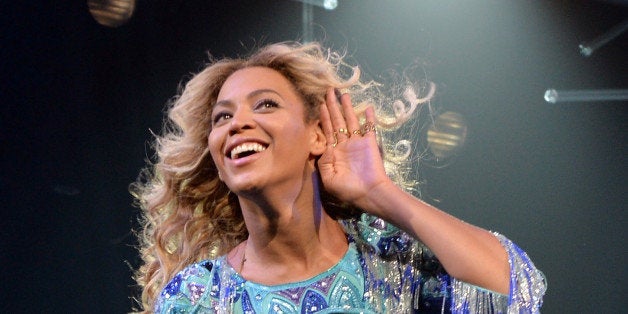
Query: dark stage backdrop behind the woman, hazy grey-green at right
column 78, row 101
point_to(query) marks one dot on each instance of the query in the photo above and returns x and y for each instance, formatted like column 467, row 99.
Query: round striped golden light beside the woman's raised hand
column 447, row 134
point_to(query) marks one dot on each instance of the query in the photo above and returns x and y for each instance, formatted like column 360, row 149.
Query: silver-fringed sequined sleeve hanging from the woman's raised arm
column 403, row 273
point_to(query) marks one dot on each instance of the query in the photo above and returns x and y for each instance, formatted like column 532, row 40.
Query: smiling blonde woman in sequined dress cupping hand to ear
column 270, row 195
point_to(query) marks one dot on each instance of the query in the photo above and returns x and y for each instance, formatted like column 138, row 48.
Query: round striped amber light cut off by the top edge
column 111, row 13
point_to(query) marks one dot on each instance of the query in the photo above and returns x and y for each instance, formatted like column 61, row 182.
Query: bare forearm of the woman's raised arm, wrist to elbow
column 467, row 252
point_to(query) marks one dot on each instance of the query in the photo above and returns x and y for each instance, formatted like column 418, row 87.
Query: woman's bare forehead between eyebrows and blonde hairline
column 247, row 80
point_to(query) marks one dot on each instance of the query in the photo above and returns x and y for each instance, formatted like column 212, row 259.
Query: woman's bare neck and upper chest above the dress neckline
column 291, row 237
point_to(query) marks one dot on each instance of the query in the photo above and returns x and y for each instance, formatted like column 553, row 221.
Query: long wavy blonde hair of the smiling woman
column 188, row 214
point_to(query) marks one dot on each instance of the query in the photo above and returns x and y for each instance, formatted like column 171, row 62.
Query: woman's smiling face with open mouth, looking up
column 259, row 136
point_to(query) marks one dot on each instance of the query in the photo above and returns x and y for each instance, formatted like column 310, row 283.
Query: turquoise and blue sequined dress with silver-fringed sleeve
column 383, row 271
